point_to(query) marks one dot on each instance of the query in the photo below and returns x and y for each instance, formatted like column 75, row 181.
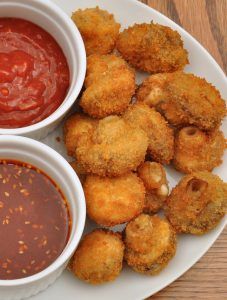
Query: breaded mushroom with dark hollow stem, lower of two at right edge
column 197, row 203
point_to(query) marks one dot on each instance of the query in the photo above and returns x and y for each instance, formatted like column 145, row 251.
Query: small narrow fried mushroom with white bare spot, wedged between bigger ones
column 153, row 176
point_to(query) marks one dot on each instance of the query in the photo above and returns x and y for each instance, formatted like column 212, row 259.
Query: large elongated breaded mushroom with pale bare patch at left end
column 184, row 99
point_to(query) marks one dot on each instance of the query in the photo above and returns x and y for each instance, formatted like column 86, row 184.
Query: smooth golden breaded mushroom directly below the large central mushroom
column 112, row 201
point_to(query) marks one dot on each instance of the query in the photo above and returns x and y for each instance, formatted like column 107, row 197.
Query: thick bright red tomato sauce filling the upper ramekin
column 34, row 74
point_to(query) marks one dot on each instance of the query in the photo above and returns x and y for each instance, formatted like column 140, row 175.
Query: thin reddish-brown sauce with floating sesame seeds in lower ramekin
column 34, row 220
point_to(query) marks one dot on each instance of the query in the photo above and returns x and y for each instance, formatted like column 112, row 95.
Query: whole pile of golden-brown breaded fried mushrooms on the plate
column 120, row 146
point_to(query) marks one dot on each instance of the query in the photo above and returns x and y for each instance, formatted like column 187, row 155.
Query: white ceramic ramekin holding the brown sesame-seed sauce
column 53, row 164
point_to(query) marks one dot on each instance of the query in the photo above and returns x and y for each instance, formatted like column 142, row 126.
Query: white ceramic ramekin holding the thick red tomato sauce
column 51, row 18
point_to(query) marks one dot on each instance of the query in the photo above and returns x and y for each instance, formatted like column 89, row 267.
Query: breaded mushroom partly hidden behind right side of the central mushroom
column 161, row 139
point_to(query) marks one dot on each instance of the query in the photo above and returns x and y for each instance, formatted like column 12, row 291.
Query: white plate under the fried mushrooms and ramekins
column 131, row 285
